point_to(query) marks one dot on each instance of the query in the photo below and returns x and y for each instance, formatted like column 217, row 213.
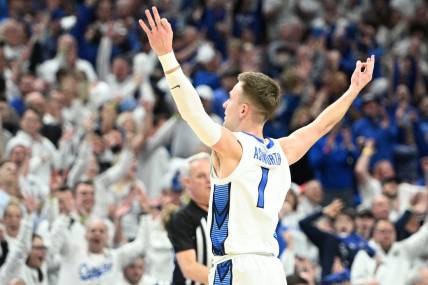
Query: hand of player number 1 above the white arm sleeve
column 158, row 31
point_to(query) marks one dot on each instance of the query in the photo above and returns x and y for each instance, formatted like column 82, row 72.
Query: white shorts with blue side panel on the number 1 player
column 247, row 269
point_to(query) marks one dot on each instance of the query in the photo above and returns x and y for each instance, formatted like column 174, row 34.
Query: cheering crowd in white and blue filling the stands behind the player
column 91, row 144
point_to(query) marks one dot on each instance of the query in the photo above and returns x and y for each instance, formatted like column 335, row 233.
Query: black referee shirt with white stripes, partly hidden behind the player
column 188, row 230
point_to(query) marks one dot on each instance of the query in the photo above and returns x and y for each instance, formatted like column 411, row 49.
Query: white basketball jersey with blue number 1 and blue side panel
column 244, row 206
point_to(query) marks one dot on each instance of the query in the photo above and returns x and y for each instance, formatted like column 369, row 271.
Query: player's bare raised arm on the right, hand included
column 300, row 141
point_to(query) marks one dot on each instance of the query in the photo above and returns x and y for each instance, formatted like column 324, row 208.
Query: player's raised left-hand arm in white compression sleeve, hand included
column 160, row 35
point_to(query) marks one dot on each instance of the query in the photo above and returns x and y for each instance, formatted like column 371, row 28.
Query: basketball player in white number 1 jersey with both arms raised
column 250, row 173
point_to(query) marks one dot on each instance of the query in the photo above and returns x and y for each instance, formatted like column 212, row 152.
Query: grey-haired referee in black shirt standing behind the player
column 188, row 230
